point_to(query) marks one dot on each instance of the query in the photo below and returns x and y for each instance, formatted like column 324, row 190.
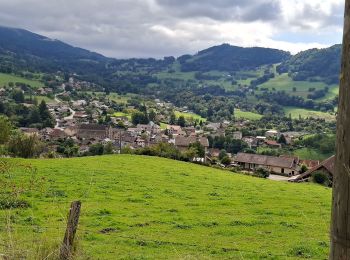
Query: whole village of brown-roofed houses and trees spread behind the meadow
column 85, row 126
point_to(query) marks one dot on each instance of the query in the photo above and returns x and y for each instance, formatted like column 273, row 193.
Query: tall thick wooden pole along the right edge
column 340, row 225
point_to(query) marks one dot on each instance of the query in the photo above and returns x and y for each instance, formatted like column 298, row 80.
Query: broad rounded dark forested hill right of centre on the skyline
column 231, row 58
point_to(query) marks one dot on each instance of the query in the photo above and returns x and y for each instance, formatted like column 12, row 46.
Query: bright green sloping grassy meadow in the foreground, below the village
column 148, row 207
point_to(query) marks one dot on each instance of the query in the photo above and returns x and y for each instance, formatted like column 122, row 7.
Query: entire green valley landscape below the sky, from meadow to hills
column 171, row 157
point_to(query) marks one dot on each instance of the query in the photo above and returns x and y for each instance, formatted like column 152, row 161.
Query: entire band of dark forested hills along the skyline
column 21, row 50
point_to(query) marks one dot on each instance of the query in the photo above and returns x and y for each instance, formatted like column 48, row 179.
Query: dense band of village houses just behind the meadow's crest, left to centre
column 86, row 134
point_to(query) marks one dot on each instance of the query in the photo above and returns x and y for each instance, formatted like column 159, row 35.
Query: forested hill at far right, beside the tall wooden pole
column 314, row 65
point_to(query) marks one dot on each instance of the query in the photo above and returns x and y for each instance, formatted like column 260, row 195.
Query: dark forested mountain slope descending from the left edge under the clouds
column 24, row 50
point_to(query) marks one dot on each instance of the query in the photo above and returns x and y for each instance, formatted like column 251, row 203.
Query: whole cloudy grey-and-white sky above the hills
column 157, row 28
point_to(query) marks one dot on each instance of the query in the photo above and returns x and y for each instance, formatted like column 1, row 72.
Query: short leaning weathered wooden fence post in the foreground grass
column 72, row 224
